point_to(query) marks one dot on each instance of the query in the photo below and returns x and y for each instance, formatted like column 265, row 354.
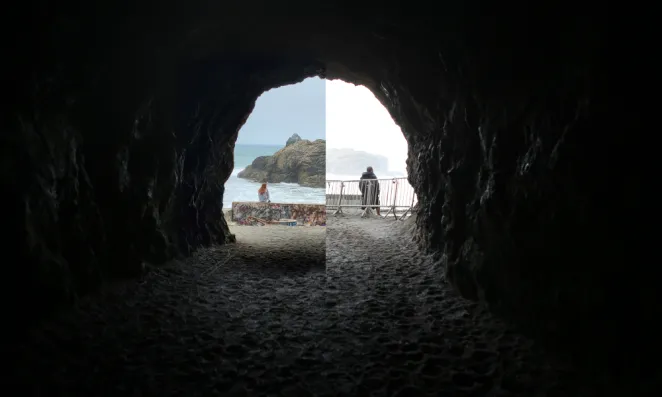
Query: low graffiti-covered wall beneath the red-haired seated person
column 256, row 213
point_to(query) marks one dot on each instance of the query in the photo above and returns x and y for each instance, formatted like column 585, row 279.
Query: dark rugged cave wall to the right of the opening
column 528, row 193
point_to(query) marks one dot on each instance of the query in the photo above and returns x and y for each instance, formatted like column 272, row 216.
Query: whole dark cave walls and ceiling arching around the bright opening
column 526, row 150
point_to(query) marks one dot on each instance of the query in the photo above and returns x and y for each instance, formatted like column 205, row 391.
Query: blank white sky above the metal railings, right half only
column 355, row 119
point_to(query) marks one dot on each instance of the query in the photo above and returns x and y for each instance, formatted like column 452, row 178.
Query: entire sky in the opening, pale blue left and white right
column 347, row 116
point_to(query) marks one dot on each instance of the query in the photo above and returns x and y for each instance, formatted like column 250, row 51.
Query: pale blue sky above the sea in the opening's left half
column 283, row 111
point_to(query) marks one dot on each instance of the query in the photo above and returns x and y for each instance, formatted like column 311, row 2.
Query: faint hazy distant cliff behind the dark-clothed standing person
column 353, row 162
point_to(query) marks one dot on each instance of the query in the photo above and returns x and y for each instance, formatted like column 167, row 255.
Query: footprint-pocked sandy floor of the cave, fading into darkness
column 262, row 318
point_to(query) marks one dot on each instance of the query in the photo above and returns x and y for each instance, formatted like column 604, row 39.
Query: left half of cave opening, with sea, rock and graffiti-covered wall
column 279, row 160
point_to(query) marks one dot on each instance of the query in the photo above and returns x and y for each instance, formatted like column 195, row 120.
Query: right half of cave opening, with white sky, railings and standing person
column 360, row 134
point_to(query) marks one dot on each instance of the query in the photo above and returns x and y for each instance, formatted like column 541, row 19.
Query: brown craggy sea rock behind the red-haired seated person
column 302, row 162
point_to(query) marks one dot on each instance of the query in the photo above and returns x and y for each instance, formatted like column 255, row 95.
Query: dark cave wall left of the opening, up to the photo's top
column 116, row 150
